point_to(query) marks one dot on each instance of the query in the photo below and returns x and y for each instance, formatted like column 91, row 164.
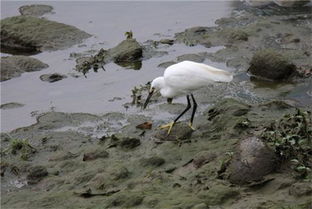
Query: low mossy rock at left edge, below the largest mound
column 14, row 66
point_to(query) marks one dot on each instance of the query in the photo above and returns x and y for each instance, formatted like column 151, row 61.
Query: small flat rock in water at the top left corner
column 35, row 10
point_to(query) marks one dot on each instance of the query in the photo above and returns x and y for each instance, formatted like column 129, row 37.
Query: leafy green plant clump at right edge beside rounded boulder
column 291, row 137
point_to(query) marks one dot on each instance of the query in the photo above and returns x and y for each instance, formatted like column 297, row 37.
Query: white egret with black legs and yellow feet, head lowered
column 183, row 78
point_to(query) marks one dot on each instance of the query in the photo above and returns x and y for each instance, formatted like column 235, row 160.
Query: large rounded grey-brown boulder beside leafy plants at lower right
column 251, row 161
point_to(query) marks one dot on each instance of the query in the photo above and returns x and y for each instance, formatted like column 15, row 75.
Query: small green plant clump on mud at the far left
column 23, row 147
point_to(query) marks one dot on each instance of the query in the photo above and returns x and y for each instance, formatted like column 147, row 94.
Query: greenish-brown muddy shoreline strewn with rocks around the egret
column 250, row 149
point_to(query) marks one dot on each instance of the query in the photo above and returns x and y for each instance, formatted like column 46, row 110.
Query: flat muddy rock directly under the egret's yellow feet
column 180, row 132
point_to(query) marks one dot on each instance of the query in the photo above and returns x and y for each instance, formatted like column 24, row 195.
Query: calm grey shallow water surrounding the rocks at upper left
column 107, row 21
